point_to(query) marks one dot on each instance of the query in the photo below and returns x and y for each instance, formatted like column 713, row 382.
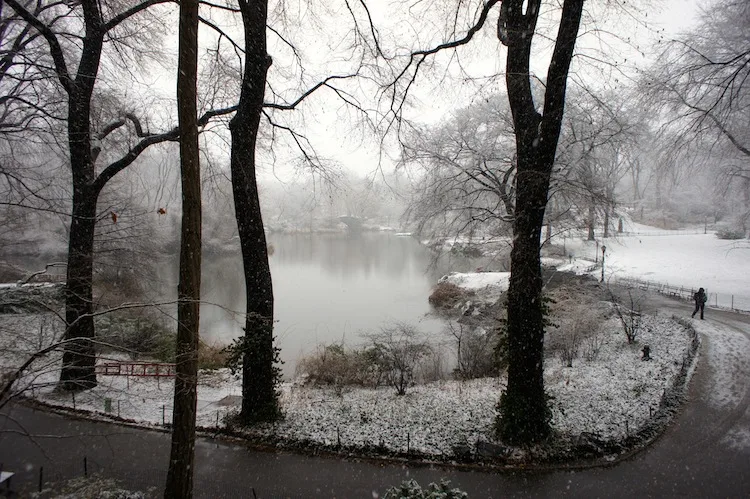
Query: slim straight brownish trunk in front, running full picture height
column 182, row 455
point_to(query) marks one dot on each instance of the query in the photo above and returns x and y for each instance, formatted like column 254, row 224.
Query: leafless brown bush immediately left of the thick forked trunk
column 475, row 356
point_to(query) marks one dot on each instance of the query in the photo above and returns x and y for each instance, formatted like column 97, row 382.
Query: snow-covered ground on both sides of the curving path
column 611, row 395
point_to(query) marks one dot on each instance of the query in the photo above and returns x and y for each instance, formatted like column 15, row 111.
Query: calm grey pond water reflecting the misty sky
column 327, row 288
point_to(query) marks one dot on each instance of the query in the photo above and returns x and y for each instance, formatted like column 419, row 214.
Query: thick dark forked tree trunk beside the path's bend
column 524, row 413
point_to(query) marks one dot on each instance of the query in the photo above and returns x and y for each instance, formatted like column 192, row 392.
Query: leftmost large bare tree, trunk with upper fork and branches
column 75, row 67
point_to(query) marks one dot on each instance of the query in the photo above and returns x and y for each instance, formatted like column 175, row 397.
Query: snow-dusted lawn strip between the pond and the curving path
column 611, row 396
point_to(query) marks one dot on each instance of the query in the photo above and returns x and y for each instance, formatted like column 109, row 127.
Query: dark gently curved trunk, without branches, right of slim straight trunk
column 259, row 374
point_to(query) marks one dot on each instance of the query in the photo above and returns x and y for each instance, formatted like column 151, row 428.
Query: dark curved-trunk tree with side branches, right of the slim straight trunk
column 260, row 373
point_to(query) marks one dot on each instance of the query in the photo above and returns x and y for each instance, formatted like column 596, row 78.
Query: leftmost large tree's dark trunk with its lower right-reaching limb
column 79, row 356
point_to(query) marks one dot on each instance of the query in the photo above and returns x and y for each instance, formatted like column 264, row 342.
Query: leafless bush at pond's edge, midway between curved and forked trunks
column 400, row 348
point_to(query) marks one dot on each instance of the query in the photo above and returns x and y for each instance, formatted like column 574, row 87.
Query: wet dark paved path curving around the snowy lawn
column 704, row 453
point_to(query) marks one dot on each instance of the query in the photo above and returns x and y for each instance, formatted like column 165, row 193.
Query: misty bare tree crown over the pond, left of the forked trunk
column 466, row 172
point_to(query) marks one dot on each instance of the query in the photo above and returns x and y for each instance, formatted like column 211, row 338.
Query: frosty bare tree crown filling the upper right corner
column 700, row 84
